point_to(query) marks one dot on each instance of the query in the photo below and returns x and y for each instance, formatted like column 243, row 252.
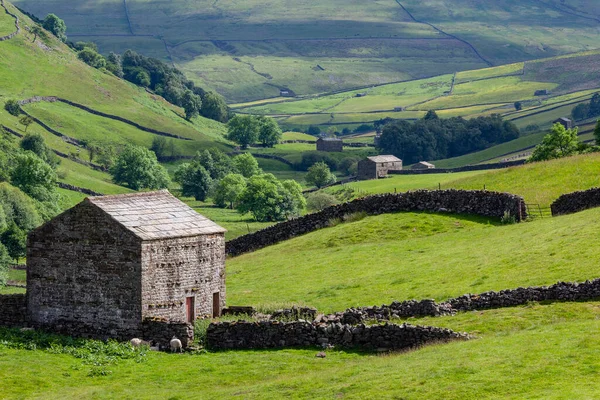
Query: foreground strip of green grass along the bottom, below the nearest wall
column 525, row 352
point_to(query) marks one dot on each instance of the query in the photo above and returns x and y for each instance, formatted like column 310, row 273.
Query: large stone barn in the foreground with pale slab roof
column 110, row 263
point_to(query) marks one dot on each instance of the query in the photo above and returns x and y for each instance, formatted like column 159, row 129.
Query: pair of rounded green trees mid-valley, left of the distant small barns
column 249, row 129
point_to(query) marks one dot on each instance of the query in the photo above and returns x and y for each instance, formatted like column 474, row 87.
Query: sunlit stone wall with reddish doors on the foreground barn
column 175, row 269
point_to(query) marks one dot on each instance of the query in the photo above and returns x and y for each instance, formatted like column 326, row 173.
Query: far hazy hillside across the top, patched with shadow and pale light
column 250, row 50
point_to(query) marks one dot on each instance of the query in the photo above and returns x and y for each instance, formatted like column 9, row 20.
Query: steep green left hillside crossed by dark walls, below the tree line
column 98, row 108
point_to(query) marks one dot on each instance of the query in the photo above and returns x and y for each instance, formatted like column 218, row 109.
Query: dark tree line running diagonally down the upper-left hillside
column 147, row 72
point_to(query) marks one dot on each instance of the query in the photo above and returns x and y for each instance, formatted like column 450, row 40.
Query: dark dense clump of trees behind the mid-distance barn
column 432, row 138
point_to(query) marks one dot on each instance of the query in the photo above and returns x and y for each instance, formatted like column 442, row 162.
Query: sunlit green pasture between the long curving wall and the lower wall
column 413, row 255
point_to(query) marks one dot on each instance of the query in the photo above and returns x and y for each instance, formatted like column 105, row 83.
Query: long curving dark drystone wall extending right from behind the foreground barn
column 480, row 202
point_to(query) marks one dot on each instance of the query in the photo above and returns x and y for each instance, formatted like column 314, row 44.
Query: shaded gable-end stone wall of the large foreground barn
column 83, row 275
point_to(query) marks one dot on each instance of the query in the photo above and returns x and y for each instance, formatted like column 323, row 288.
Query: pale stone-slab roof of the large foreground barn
column 155, row 215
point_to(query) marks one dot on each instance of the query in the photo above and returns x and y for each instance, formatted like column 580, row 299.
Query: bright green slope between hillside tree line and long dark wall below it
column 28, row 70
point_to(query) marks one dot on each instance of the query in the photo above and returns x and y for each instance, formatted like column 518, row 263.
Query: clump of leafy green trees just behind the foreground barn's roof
column 239, row 183
